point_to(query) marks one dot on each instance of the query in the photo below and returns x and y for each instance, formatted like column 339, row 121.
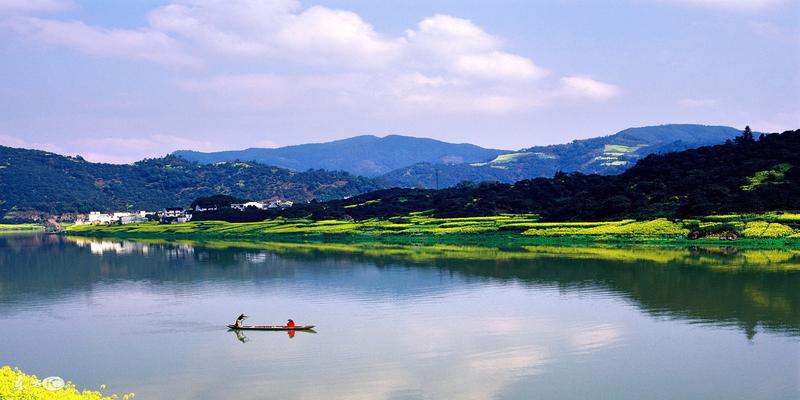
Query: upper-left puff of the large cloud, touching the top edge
column 315, row 36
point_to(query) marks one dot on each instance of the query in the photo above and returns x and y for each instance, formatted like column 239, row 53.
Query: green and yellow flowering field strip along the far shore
column 757, row 230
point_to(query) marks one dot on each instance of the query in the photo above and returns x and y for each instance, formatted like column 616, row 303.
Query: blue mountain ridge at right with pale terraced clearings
column 605, row 155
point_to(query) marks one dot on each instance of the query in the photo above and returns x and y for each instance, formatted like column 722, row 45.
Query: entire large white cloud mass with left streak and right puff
column 338, row 60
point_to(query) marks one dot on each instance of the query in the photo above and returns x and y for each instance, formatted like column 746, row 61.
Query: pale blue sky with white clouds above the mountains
column 117, row 81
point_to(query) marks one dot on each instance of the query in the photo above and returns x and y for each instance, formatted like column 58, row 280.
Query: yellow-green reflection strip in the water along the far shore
column 727, row 258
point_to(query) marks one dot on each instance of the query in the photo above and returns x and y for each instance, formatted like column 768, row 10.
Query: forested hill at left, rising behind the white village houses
column 47, row 182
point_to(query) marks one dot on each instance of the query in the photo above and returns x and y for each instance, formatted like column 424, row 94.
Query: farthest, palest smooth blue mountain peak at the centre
column 365, row 155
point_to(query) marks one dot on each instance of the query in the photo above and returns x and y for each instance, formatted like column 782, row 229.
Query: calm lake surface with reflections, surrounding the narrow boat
column 402, row 324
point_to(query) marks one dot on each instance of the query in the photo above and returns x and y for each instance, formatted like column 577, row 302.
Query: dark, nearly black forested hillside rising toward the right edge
column 745, row 175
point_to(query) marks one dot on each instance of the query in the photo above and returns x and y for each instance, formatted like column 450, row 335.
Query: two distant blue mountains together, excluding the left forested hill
column 404, row 161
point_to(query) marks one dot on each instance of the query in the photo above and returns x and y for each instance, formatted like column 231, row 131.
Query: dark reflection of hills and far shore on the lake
column 722, row 286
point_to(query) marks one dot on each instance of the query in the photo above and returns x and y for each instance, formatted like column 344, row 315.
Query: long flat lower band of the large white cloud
column 404, row 94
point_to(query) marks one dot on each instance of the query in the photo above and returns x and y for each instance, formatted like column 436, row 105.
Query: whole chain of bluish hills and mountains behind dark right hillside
column 52, row 183
